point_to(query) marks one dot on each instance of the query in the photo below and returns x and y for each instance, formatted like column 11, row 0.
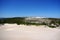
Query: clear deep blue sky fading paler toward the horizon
column 18, row 8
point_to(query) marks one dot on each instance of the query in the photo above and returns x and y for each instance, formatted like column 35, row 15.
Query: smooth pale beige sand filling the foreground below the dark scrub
column 28, row 32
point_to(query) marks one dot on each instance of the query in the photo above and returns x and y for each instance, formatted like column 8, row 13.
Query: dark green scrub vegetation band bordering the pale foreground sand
column 21, row 20
